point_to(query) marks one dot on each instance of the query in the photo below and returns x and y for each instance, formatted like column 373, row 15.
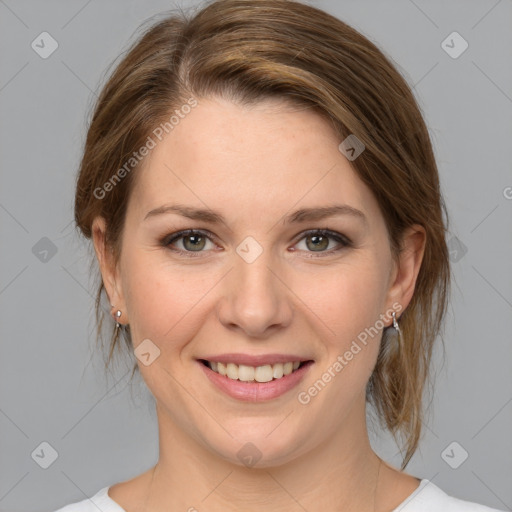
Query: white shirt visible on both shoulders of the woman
column 426, row 498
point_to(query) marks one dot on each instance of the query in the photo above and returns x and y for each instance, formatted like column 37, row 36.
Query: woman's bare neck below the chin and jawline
column 343, row 471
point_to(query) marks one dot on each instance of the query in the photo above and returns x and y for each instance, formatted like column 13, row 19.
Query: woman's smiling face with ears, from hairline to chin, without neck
column 260, row 282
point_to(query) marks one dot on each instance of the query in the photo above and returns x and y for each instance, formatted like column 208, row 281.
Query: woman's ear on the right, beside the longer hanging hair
column 403, row 276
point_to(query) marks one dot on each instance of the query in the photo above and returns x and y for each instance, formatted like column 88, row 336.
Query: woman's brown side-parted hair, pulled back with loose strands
column 251, row 50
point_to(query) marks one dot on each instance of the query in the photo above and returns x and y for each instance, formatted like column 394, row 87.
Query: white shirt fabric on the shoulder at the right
column 430, row 498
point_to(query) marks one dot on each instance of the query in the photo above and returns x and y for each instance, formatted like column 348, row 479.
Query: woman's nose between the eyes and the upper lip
column 255, row 297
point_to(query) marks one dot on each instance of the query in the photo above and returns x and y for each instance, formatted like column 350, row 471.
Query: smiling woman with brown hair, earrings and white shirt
column 264, row 203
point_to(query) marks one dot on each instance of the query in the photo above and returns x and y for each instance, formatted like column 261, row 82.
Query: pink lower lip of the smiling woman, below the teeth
column 256, row 391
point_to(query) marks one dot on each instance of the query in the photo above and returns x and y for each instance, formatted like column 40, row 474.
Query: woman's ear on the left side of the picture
column 108, row 267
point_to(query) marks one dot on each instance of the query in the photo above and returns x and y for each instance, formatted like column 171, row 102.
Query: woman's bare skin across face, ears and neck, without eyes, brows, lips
column 255, row 165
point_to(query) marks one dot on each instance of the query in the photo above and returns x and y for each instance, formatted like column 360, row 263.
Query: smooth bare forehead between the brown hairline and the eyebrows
column 262, row 160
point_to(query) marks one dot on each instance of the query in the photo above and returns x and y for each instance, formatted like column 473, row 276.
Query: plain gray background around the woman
column 52, row 387
